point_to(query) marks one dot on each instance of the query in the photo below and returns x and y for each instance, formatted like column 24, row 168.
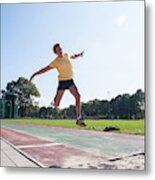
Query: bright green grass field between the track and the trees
column 126, row 126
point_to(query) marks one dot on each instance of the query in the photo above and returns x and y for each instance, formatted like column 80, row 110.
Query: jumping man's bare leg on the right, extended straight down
column 74, row 91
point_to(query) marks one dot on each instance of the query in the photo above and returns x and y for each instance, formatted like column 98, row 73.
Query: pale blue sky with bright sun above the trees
column 111, row 33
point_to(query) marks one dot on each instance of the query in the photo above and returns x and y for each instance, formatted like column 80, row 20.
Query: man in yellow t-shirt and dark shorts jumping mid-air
column 64, row 67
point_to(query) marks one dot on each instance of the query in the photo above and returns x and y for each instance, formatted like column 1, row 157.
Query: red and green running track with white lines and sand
column 72, row 148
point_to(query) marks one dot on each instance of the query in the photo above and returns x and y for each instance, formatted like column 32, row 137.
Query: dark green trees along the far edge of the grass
column 123, row 106
